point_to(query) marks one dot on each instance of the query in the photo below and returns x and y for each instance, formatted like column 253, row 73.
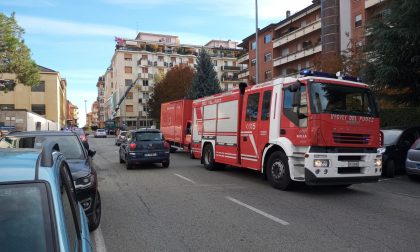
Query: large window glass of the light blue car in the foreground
column 25, row 221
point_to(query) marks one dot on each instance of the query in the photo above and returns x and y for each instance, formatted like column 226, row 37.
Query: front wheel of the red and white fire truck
column 278, row 171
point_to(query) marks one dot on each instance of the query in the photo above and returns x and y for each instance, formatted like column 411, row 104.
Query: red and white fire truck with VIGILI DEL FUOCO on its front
column 317, row 129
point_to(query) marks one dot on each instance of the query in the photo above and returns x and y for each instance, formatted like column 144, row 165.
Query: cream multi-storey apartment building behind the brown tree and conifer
column 147, row 58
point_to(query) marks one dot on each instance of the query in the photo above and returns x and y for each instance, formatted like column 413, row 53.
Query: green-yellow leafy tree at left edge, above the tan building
column 14, row 54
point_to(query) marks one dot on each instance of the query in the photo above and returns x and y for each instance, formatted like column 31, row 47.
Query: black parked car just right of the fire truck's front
column 397, row 142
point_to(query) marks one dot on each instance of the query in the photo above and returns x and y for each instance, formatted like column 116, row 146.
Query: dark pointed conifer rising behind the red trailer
column 205, row 80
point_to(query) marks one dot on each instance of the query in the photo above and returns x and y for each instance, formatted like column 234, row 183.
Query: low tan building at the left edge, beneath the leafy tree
column 48, row 99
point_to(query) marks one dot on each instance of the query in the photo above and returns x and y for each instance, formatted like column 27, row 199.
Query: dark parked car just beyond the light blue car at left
column 79, row 160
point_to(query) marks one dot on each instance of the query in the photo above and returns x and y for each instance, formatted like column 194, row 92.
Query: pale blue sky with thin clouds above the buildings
column 76, row 38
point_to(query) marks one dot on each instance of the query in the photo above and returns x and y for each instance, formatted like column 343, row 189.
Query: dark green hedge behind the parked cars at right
column 400, row 117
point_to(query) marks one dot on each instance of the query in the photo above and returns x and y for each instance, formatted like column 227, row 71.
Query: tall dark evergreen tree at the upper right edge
column 393, row 49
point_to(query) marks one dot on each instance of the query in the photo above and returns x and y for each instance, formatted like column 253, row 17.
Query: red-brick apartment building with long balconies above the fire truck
column 296, row 42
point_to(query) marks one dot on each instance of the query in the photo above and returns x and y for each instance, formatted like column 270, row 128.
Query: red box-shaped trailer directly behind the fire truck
column 175, row 123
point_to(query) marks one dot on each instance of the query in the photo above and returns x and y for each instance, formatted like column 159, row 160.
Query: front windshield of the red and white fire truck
column 341, row 99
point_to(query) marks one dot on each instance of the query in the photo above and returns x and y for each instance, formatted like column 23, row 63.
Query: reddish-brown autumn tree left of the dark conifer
column 173, row 86
